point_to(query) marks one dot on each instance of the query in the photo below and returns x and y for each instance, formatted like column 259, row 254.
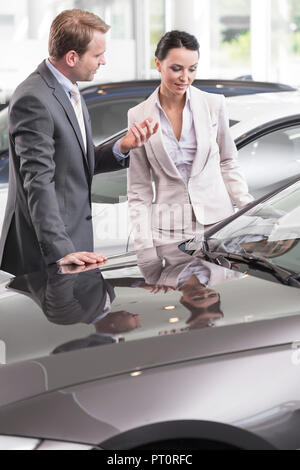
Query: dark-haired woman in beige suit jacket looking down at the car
column 187, row 175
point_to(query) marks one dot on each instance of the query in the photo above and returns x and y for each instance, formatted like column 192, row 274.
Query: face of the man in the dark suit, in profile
column 90, row 61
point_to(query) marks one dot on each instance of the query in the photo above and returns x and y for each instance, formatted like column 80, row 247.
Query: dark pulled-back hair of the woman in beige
column 174, row 40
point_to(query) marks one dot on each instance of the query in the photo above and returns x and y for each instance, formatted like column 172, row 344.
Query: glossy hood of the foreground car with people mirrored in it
column 53, row 321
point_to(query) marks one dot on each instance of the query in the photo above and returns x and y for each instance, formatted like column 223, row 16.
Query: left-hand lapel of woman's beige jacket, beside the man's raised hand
column 156, row 142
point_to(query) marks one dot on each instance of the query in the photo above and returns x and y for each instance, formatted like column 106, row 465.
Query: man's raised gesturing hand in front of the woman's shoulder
column 138, row 135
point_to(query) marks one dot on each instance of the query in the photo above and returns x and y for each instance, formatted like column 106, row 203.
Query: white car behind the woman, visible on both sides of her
column 266, row 130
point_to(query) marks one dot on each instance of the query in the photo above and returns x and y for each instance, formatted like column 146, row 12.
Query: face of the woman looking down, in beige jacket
column 178, row 70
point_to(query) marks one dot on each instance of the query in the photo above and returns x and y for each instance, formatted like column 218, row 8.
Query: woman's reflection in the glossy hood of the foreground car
column 169, row 268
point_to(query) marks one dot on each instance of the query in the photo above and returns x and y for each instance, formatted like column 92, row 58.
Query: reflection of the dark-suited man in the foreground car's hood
column 74, row 297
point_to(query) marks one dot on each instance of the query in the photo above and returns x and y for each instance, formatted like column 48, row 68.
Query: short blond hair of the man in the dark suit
column 73, row 30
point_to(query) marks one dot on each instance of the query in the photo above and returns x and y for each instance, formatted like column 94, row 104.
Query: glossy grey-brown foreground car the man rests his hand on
column 213, row 367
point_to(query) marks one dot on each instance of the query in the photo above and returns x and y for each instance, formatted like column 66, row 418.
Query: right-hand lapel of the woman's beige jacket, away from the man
column 202, row 123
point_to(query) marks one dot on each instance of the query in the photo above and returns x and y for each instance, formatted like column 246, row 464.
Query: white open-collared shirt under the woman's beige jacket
column 183, row 151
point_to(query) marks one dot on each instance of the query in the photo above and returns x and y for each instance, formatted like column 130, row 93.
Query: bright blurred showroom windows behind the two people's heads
column 249, row 38
